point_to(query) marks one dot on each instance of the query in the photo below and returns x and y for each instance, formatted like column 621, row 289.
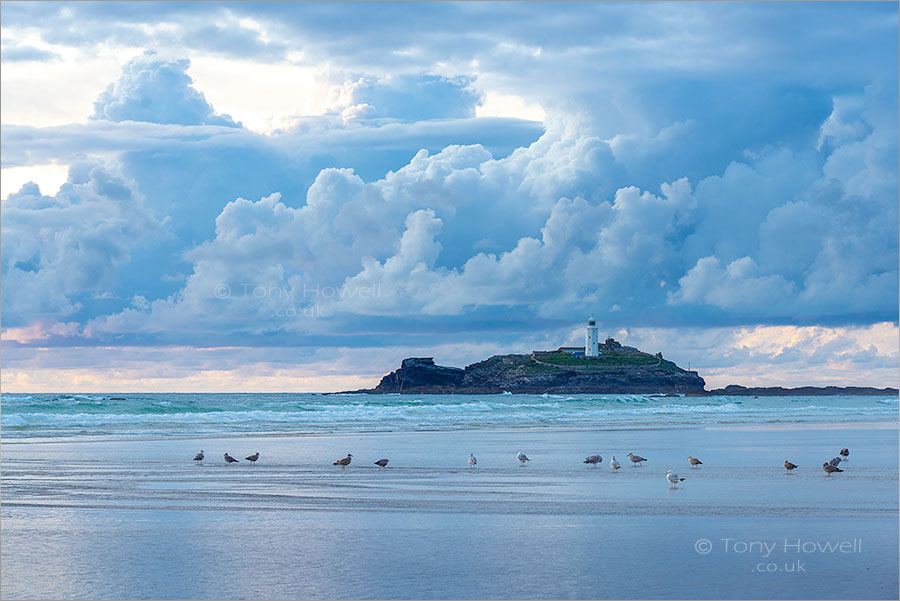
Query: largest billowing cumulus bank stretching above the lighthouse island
column 417, row 235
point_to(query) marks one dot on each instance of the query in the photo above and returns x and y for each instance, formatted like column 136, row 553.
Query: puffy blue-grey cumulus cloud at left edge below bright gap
column 59, row 250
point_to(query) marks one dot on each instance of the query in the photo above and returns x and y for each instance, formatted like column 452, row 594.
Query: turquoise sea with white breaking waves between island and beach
column 166, row 415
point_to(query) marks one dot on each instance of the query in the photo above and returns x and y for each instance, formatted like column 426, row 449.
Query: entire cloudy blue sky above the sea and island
column 283, row 196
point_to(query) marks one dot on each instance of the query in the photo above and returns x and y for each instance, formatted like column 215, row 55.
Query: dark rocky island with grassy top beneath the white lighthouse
column 614, row 369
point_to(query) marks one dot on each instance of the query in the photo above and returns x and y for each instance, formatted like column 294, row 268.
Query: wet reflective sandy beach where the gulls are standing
column 135, row 518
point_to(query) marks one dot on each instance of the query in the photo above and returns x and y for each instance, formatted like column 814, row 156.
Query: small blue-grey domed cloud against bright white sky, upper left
column 159, row 91
